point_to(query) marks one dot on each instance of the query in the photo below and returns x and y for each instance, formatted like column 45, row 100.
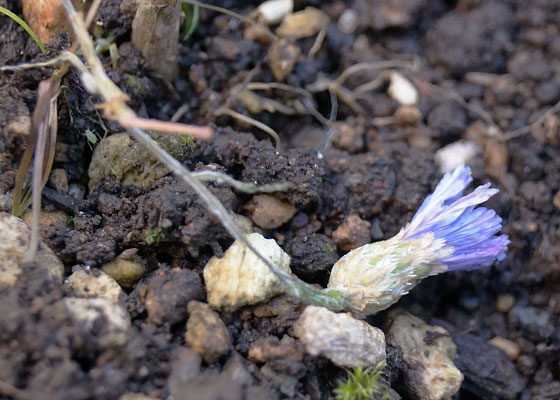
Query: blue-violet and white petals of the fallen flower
column 469, row 231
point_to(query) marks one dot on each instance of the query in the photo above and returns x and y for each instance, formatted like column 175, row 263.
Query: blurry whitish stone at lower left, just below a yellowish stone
column 86, row 314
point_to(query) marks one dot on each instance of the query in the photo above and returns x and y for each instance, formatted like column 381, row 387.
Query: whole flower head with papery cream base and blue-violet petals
column 447, row 233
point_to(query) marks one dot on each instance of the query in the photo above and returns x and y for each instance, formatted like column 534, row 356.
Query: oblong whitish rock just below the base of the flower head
column 341, row 338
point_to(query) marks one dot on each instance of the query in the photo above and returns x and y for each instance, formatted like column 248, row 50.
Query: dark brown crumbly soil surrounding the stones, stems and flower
column 381, row 175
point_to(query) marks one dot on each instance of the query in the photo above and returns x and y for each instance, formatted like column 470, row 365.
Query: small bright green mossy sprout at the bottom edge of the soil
column 362, row 384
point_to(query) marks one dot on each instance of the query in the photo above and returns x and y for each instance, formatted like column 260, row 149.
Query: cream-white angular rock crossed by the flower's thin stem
column 241, row 278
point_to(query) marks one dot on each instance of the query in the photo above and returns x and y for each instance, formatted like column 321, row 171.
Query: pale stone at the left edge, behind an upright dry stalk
column 15, row 236
